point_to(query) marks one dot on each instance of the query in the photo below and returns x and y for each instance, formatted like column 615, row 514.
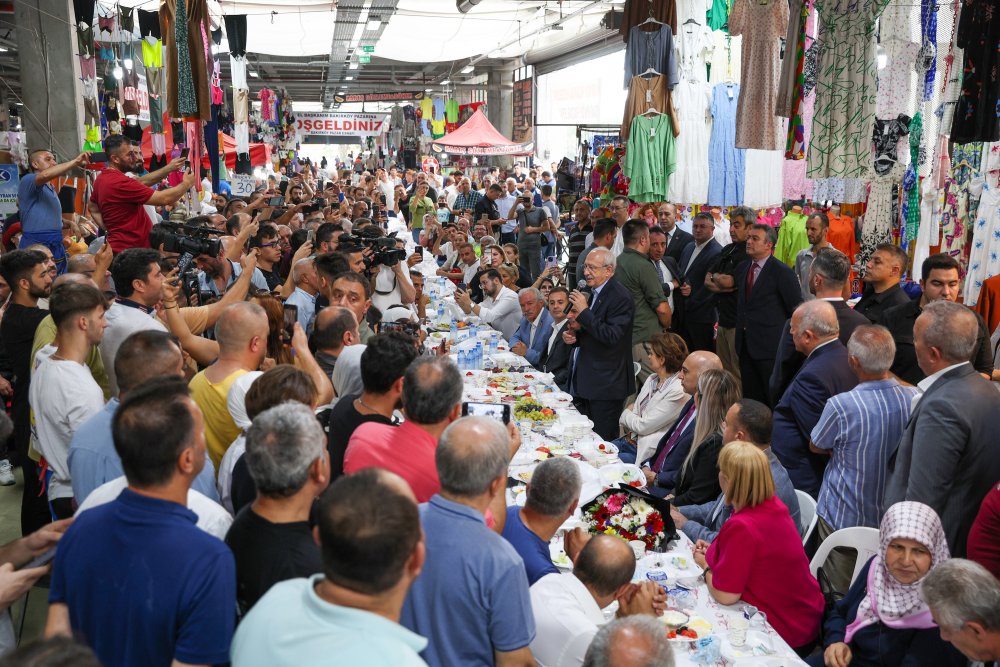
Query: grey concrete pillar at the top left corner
column 50, row 84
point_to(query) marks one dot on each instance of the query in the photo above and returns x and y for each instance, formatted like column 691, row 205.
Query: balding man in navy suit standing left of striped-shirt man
column 824, row 374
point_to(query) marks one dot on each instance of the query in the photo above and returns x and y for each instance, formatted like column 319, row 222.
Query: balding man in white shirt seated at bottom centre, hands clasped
column 568, row 606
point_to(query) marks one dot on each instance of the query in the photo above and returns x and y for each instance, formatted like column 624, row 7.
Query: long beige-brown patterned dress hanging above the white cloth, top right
column 762, row 26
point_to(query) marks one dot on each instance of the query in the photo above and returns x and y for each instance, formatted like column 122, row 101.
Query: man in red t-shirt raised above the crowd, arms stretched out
column 120, row 198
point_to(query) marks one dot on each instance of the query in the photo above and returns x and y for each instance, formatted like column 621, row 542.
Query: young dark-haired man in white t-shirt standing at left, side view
column 63, row 394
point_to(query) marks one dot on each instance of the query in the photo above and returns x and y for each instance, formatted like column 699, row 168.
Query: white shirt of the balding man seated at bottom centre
column 566, row 619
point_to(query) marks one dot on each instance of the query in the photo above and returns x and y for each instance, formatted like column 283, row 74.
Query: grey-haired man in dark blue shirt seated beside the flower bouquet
column 553, row 495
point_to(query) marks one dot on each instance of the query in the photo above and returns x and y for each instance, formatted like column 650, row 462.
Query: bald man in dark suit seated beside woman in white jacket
column 664, row 465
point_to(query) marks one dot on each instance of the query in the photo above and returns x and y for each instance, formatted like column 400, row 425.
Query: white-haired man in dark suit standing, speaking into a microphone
column 600, row 329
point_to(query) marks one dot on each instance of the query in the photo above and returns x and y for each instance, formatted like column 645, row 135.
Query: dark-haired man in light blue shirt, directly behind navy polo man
column 143, row 356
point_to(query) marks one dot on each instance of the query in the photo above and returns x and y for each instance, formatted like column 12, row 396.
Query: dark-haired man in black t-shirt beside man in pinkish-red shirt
column 383, row 364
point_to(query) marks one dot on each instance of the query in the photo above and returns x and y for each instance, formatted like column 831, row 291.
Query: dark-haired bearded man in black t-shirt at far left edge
column 29, row 275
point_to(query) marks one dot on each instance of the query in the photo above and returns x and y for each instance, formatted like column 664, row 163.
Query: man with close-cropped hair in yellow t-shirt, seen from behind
column 242, row 336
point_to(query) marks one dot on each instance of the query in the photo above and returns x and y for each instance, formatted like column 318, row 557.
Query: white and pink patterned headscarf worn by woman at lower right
column 888, row 601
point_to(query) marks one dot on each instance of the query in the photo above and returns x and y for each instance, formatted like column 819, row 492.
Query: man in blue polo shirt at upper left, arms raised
column 38, row 203
